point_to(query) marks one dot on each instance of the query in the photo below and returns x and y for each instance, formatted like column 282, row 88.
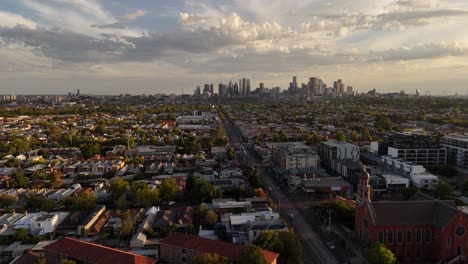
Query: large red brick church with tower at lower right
column 419, row 230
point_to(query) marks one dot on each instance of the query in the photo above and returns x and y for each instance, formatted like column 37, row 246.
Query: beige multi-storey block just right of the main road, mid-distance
column 294, row 156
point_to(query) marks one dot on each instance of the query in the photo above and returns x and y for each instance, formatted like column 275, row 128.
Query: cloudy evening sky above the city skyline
column 160, row 46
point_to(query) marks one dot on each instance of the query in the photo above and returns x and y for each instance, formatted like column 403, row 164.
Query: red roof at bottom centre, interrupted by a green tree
column 204, row 245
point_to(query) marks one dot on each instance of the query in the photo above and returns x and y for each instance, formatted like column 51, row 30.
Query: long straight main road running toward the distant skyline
column 314, row 250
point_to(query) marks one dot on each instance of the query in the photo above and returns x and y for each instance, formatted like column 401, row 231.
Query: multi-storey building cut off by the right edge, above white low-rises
column 457, row 149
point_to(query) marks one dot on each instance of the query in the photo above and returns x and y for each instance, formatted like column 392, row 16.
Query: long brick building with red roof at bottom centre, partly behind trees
column 181, row 248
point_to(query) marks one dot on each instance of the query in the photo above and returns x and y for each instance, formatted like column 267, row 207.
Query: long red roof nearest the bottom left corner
column 93, row 253
